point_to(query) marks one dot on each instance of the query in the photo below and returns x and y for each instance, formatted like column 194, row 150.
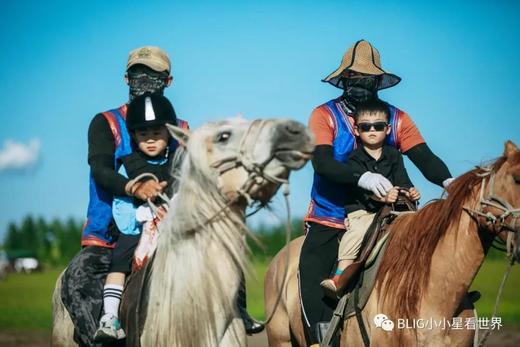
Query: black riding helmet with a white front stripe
column 149, row 110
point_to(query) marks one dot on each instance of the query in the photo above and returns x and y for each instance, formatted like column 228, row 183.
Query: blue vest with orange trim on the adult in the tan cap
column 99, row 212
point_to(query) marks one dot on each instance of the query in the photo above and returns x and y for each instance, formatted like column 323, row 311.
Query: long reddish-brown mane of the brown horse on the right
column 405, row 268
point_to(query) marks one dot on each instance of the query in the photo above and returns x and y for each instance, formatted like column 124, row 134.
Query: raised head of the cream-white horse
column 251, row 158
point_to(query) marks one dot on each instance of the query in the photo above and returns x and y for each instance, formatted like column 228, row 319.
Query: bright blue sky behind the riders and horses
column 64, row 62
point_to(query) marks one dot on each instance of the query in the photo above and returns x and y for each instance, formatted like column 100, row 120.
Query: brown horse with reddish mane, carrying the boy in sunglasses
column 430, row 262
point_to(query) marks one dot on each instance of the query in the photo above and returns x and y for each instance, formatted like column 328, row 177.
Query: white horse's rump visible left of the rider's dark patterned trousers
column 62, row 326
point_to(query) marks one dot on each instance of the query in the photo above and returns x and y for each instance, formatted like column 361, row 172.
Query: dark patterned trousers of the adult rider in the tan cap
column 82, row 291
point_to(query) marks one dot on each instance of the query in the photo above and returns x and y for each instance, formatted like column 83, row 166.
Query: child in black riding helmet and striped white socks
column 146, row 121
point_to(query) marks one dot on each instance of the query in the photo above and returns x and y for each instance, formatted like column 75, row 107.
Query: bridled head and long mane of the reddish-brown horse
column 491, row 196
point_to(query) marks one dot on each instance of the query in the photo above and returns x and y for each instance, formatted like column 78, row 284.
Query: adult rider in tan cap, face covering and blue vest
column 148, row 70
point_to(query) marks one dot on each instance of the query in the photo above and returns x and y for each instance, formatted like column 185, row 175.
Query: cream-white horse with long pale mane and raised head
column 189, row 299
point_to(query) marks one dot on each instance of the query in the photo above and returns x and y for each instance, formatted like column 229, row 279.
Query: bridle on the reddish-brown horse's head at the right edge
column 490, row 221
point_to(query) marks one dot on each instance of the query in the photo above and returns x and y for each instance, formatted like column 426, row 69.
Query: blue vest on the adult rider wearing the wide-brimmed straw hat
column 328, row 198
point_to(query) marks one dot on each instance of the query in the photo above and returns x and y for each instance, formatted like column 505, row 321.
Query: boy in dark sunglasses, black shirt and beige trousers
column 371, row 129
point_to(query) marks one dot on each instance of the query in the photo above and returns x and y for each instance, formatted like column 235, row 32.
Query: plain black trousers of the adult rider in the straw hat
column 317, row 260
